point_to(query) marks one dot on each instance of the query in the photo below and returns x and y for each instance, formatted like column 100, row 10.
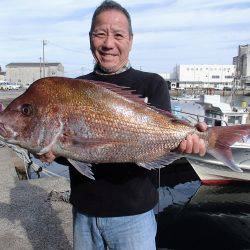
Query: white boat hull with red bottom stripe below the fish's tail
column 211, row 171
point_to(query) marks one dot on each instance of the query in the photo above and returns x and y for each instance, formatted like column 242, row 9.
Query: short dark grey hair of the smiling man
column 110, row 5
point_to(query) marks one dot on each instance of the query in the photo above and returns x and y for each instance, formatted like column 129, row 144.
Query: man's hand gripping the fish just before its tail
column 193, row 144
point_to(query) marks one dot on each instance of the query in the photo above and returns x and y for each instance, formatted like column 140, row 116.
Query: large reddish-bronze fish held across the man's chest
column 95, row 122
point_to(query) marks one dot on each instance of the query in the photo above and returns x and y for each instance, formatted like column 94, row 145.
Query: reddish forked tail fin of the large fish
column 222, row 138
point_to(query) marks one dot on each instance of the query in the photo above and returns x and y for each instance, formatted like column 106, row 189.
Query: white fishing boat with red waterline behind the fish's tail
column 209, row 169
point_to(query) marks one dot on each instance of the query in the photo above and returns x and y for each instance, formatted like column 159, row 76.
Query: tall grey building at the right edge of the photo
column 242, row 63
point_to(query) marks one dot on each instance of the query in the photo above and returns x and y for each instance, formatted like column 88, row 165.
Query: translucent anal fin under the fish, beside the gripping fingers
column 161, row 162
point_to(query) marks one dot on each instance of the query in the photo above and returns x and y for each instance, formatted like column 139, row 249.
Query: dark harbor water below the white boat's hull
column 215, row 217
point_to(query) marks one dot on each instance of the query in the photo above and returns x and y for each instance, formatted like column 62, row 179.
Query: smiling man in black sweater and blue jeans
column 115, row 210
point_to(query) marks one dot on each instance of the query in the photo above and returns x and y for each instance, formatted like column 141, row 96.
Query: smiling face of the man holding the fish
column 110, row 40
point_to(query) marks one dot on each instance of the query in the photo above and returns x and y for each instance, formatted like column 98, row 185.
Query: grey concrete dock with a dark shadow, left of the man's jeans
column 28, row 219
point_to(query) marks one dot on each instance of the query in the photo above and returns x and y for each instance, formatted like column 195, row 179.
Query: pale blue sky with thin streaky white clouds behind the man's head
column 166, row 33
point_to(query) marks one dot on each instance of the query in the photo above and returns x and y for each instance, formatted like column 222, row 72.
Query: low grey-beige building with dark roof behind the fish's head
column 26, row 73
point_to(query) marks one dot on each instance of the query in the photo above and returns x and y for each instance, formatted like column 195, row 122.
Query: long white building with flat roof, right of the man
column 205, row 76
